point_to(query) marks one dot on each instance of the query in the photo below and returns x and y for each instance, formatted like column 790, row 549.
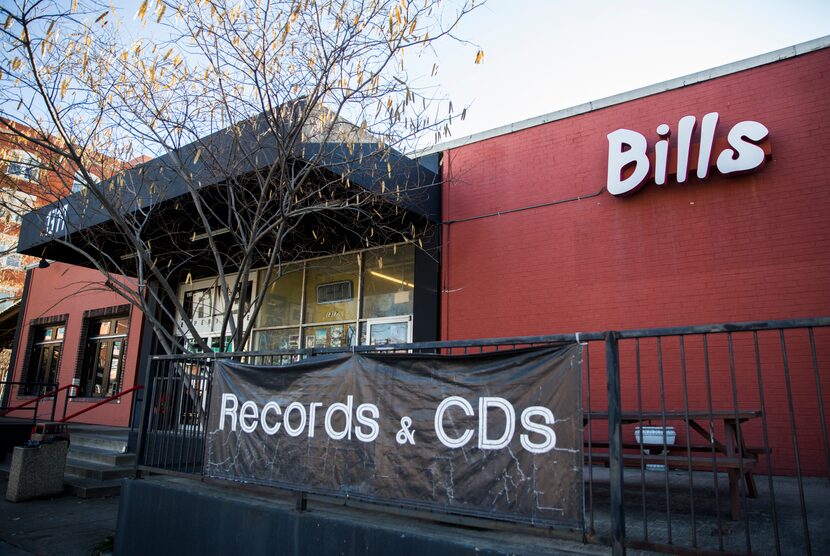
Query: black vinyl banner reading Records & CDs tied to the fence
column 495, row 434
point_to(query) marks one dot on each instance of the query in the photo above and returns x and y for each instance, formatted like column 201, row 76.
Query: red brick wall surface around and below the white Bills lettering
column 728, row 249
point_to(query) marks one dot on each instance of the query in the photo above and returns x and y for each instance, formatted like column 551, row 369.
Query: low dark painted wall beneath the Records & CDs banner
column 182, row 517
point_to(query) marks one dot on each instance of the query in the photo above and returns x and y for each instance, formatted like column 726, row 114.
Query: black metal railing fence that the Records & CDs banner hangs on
column 696, row 439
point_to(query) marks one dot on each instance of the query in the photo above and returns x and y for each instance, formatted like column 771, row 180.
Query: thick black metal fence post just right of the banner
column 612, row 369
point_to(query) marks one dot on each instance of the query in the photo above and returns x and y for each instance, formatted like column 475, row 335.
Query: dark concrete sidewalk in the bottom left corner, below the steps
column 61, row 526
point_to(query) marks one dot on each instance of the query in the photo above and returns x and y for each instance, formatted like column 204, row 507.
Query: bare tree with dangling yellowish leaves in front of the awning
column 276, row 128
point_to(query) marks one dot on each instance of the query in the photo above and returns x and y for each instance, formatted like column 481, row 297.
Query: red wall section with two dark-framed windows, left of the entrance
column 76, row 330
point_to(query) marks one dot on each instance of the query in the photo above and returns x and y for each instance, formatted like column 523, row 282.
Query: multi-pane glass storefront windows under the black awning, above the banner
column 324, row 303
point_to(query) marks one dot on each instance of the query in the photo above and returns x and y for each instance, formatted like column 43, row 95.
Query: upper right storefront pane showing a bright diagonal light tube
column 388, row 282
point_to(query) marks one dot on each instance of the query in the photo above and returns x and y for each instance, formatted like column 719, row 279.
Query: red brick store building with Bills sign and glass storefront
column 726, row 218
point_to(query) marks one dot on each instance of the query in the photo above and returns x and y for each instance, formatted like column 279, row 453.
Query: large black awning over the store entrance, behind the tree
column 162, row 185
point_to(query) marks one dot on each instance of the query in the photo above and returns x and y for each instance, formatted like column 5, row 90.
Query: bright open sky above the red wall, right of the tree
column 546, row 55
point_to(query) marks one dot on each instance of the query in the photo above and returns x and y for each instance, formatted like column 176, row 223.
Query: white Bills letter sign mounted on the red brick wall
column 631, row 164
